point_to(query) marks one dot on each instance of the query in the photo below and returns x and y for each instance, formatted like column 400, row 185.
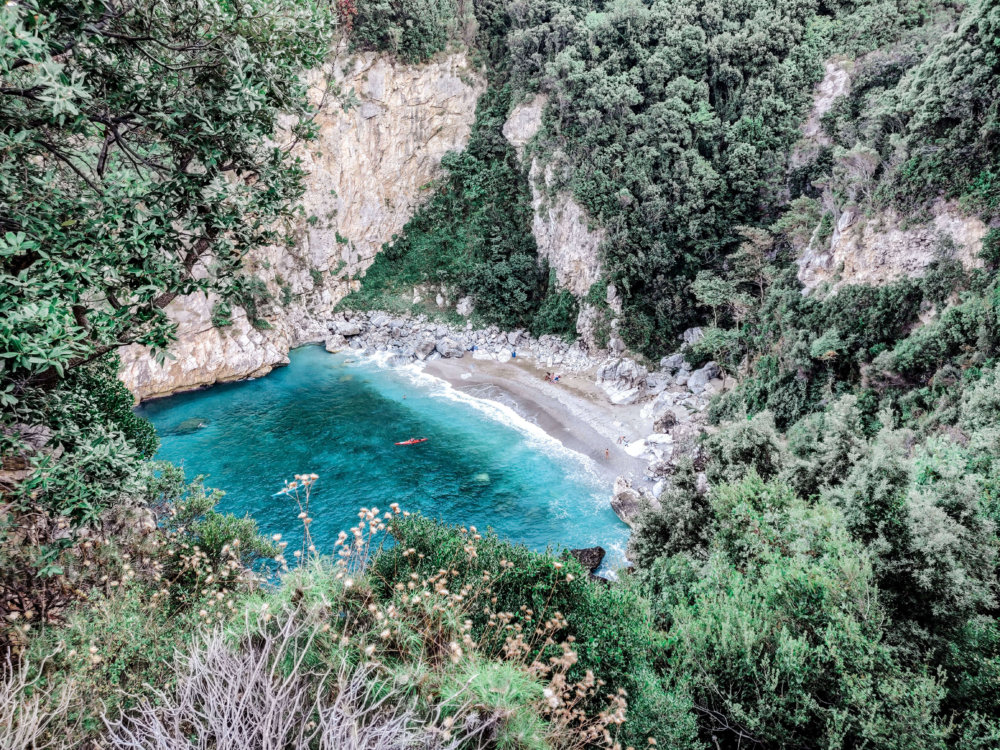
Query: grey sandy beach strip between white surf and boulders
column 574, row 411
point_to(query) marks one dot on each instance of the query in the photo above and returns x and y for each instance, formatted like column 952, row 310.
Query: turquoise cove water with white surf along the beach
column 338, row 416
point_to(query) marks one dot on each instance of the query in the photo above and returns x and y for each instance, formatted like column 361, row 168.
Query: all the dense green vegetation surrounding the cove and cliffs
column 836, row 585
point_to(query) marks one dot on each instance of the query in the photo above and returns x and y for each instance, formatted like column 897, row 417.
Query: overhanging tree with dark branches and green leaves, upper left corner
column 137, row 164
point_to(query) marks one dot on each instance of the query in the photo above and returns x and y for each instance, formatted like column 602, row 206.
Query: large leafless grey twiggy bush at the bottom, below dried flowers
column 262, row 692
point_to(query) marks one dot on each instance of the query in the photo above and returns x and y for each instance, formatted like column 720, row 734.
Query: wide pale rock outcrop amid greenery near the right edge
column 882, row 248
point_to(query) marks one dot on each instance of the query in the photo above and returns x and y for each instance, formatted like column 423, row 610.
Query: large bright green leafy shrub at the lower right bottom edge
column 779, row 639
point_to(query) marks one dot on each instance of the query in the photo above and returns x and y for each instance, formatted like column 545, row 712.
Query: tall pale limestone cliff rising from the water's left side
column 377, row 148
